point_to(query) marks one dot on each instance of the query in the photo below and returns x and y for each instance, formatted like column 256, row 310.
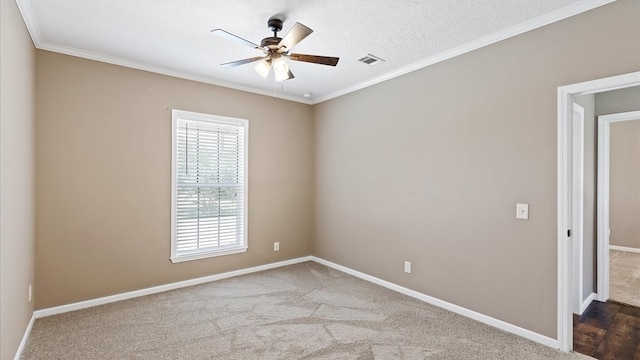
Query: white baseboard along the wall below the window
column 162, row 288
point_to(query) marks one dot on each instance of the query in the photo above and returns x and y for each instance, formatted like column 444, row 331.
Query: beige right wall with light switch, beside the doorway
column 429, row 167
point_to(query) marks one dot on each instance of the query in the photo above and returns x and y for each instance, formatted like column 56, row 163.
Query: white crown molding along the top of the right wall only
column 474, row 45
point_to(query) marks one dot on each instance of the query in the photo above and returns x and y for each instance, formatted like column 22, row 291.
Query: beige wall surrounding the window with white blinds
column 103, row 186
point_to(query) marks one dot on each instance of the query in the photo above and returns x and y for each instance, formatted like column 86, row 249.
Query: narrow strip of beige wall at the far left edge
column 17, row 177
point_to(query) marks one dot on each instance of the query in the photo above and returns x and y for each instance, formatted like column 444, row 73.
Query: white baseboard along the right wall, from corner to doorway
column 527, row 334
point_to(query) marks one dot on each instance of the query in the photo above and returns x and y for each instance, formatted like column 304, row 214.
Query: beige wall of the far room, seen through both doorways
column 624, row 193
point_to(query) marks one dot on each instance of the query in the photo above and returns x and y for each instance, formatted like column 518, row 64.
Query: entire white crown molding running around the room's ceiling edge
column 32, row 26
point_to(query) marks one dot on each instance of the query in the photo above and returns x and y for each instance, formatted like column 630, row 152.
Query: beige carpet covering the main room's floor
column 304, row 311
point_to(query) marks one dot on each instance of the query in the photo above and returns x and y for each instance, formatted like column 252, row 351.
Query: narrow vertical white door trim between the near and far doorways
column 577, row 207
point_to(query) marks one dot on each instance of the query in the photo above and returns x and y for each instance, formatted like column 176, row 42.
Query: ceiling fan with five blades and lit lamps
column 275, row 49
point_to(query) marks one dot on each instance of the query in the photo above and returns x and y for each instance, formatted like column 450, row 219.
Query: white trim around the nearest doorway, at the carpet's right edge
column 565, row 101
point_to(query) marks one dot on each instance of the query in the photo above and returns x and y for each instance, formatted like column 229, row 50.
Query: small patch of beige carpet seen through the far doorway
column 624, row 277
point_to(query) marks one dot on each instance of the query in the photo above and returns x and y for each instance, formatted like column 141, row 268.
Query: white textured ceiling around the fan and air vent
column 173, row 36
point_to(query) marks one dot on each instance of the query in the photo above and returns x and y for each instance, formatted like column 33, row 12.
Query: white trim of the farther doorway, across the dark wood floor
column 604, row 129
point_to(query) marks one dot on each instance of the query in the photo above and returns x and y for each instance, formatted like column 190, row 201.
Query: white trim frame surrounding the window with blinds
column 228, row 250
